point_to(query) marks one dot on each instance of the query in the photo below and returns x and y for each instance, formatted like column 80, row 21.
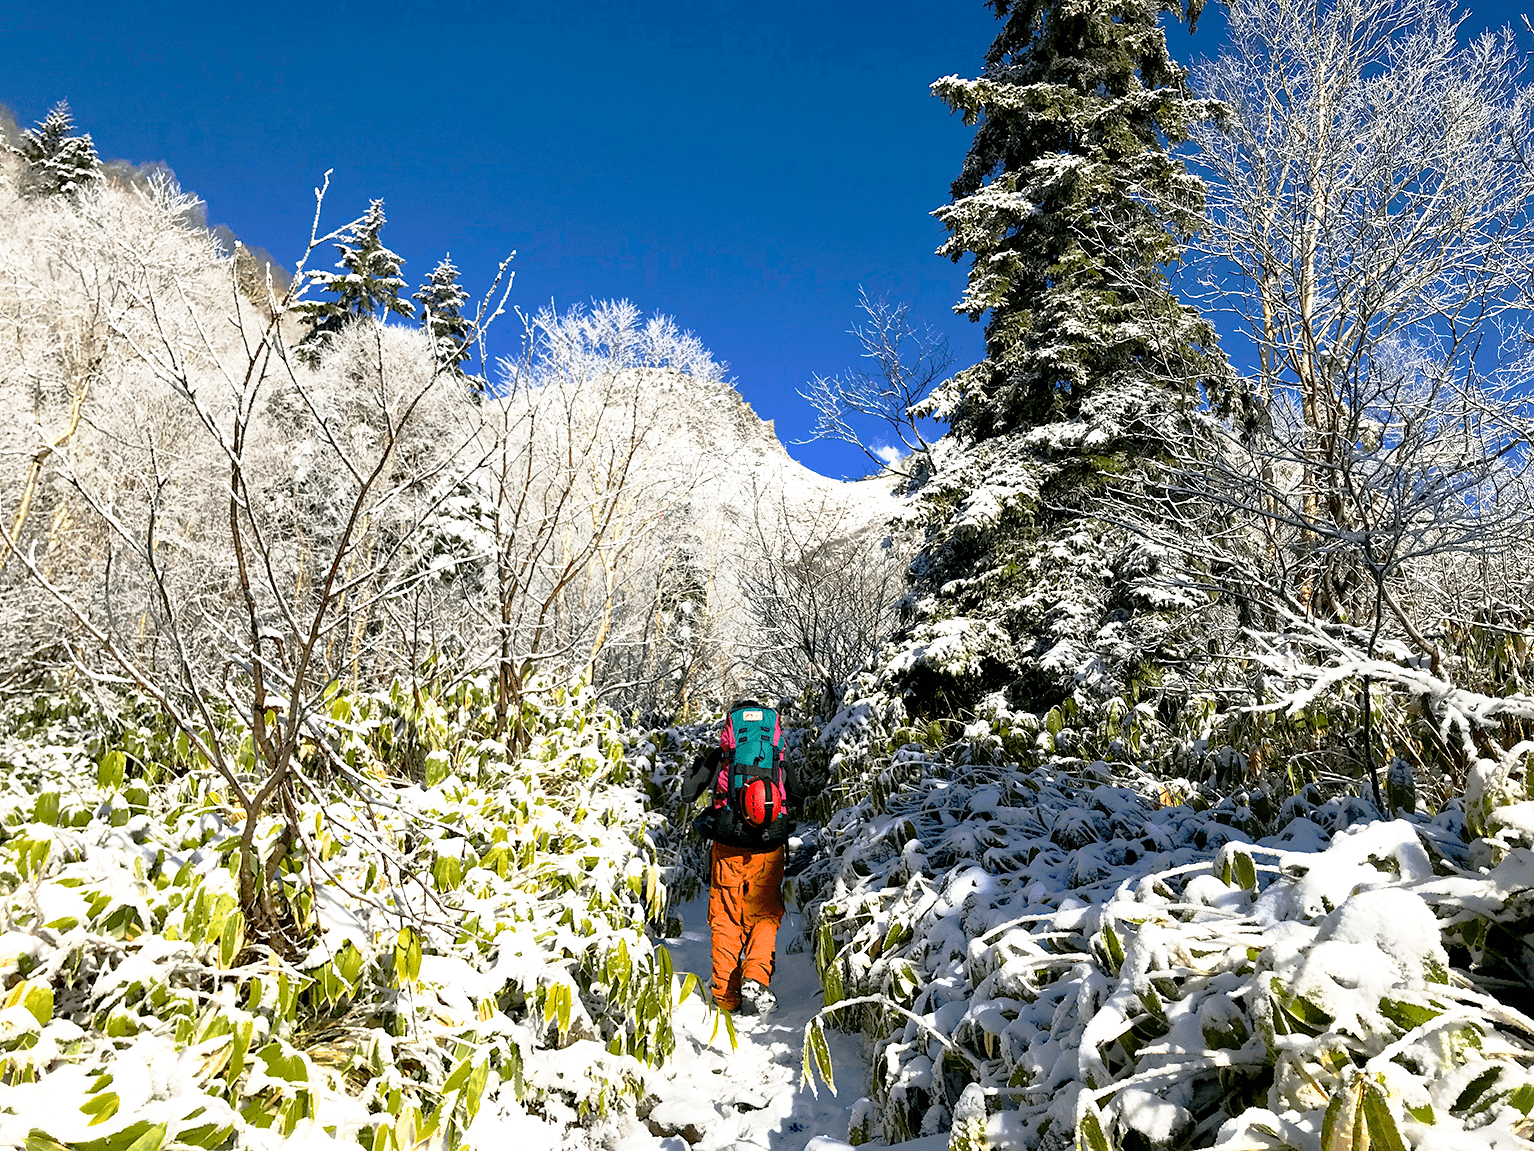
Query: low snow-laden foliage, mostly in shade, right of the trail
column 1127, row 961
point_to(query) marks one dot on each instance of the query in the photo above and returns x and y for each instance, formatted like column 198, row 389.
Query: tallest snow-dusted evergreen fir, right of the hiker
column 1071, row 208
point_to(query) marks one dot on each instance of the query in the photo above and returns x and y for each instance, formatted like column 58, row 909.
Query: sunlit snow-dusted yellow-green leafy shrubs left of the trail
column 479, row 965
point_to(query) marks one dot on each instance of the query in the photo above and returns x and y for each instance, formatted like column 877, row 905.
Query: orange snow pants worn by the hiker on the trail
column 745, row 911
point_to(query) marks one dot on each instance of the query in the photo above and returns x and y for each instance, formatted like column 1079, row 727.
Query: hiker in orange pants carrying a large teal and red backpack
column 749, row 826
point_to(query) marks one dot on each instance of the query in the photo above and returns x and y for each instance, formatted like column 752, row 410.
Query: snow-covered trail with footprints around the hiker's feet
column 714, row 1098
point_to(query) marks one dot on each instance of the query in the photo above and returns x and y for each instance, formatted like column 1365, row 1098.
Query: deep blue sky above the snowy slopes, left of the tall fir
column 743, row 168
